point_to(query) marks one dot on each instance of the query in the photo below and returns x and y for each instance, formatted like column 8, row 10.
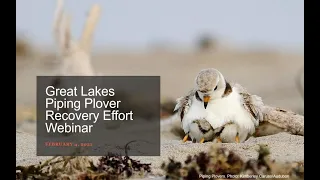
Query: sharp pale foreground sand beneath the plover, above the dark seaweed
column 283, row 147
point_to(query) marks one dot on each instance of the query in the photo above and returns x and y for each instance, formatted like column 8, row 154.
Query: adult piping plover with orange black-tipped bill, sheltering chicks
column 220, row 103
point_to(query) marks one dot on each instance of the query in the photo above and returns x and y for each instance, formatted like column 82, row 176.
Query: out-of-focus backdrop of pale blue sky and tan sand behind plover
column 257, row 44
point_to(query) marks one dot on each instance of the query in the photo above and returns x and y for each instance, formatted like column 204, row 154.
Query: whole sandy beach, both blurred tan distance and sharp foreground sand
column 270, row 75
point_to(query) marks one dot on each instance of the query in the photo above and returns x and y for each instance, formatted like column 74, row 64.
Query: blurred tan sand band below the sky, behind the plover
column 269, row 74
